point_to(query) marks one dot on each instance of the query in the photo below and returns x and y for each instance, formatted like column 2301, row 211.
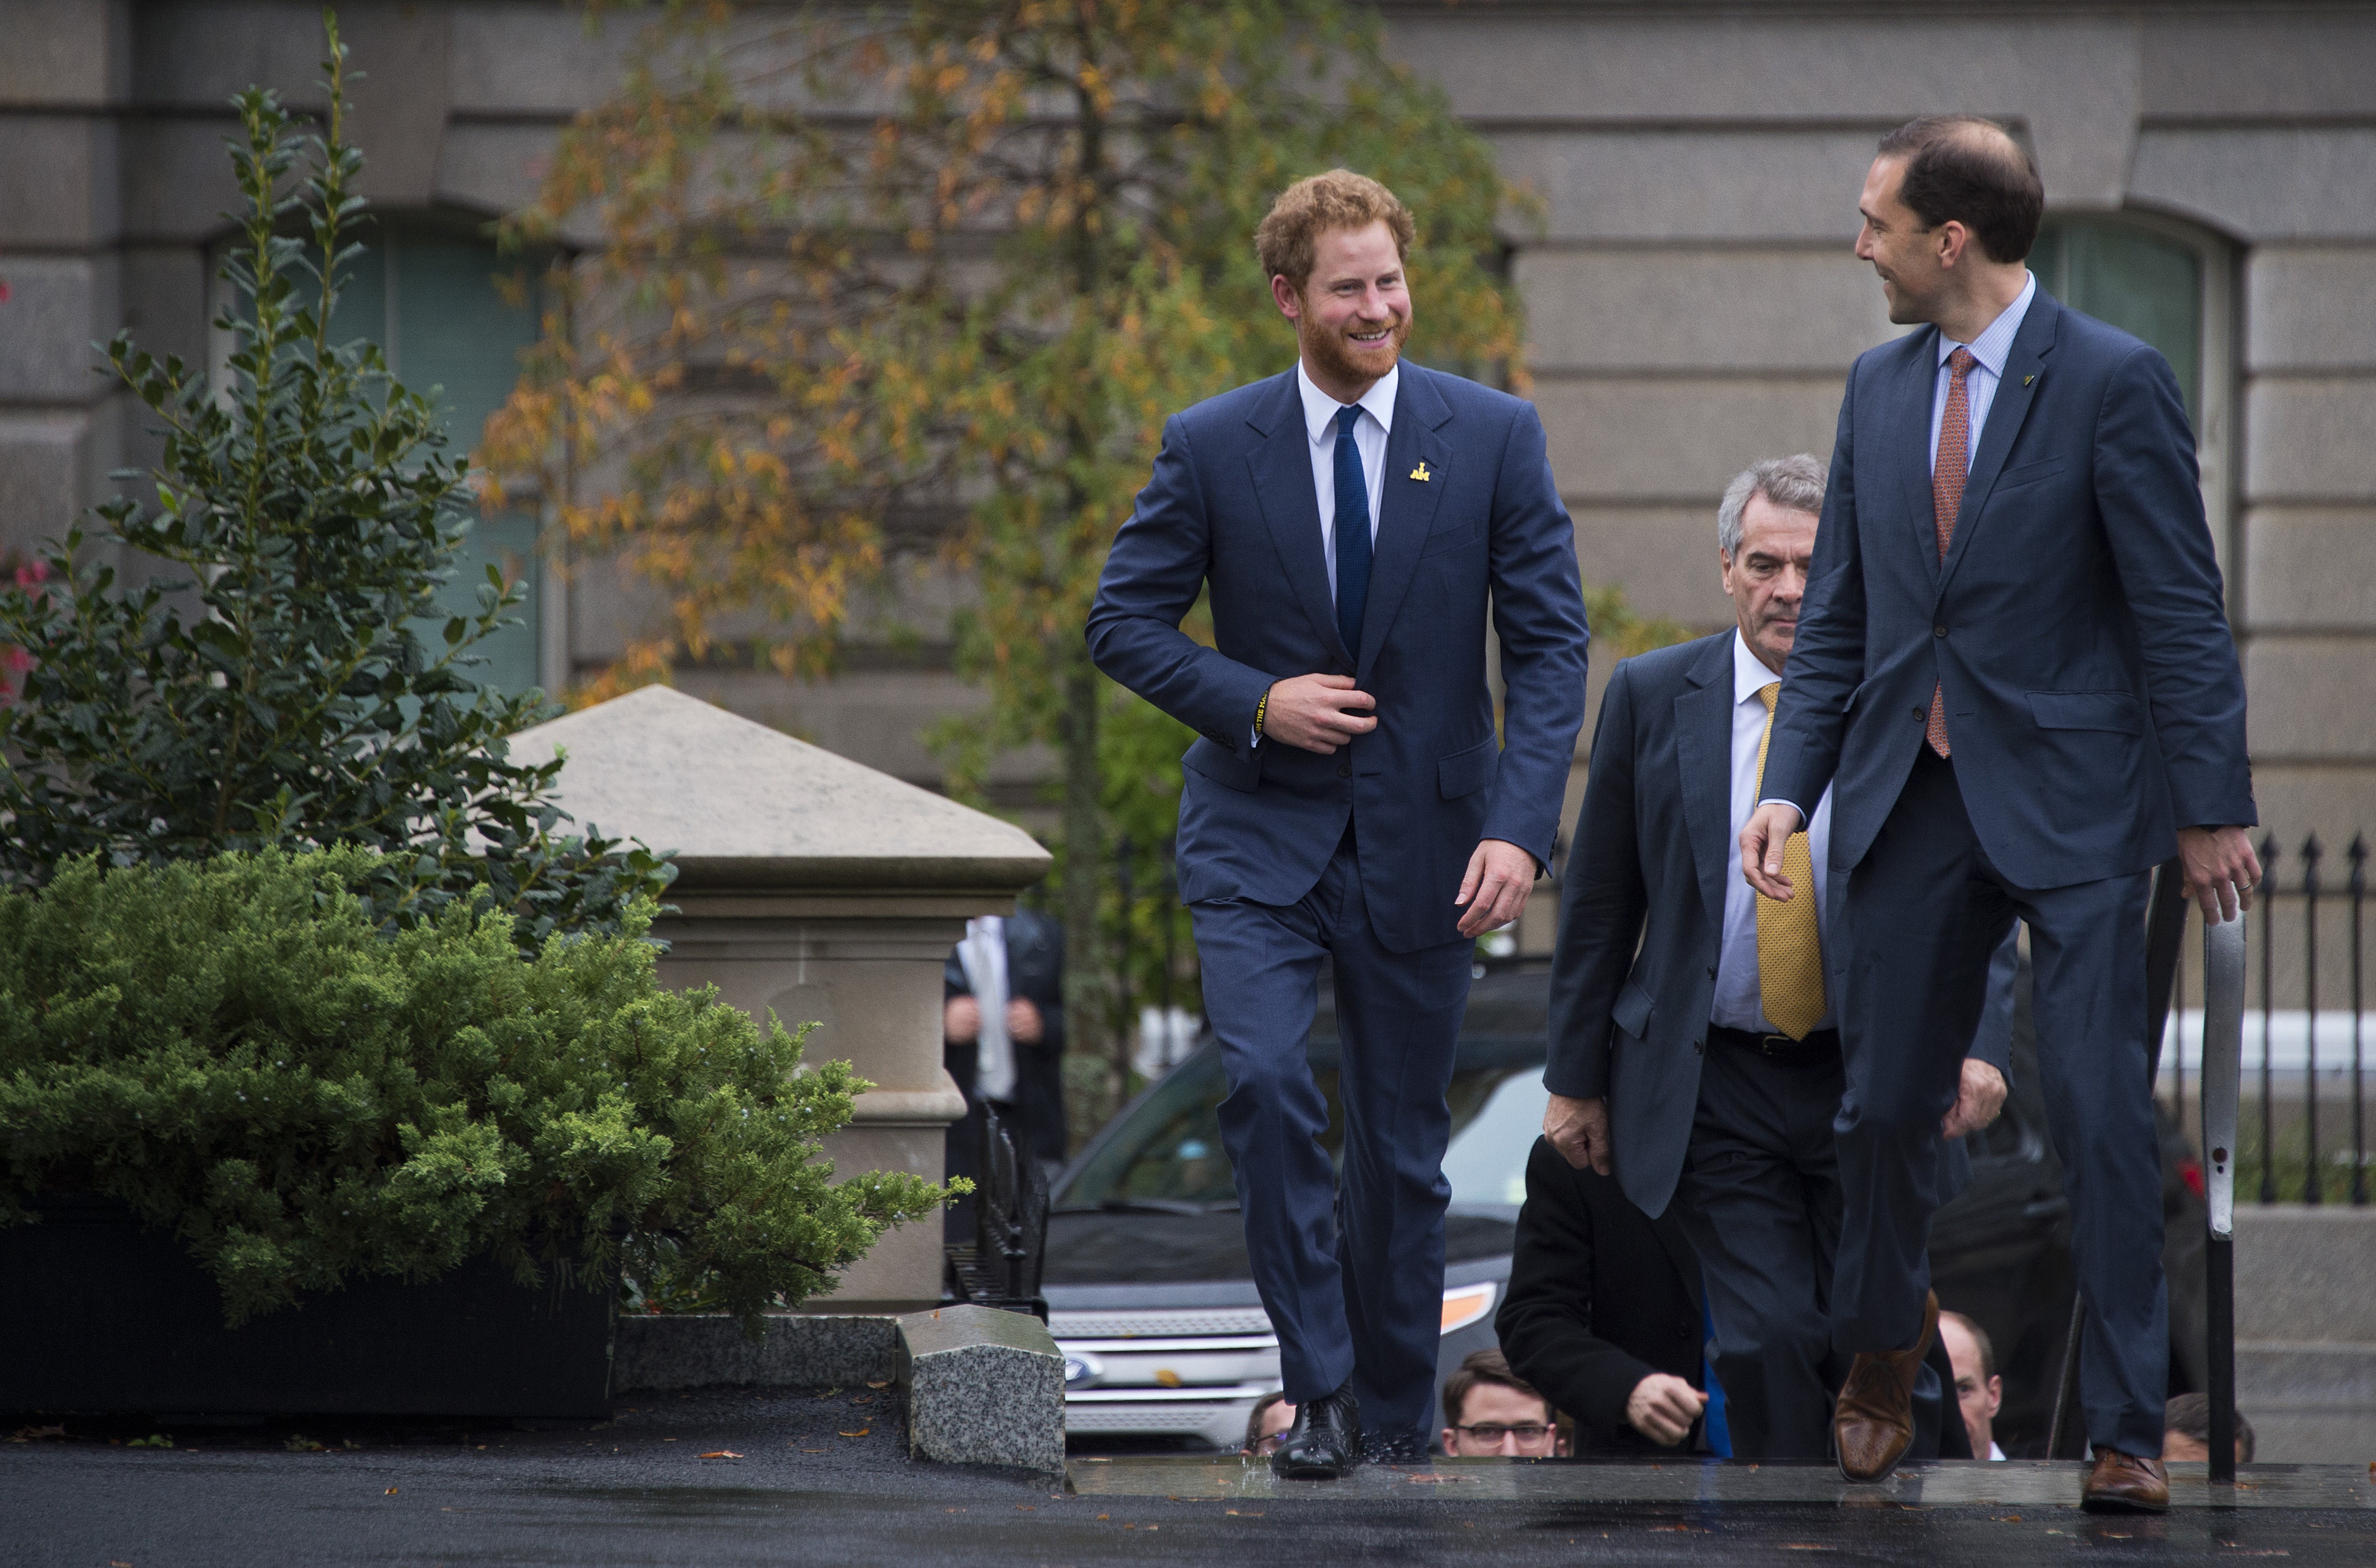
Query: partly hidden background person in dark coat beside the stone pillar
column 1018, row 963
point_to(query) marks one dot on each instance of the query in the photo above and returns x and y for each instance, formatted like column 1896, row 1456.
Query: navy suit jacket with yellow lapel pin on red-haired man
column 1470, row 517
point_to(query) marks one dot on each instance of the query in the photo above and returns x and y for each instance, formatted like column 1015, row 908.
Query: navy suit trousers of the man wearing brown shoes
column 1921, row 918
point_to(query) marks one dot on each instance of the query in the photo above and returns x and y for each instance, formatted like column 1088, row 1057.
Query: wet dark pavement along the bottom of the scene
column 800, row 1479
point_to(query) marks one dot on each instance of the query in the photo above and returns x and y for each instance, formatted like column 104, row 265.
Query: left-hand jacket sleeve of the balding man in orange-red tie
column 1828, row 655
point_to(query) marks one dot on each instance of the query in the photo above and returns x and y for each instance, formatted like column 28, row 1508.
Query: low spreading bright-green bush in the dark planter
column 244, row 1056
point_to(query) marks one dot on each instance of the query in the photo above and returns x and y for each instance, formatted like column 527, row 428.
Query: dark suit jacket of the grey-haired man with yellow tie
column 1643, row 913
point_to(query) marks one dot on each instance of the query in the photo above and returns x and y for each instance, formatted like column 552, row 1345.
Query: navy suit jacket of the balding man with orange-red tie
column 2075, row 628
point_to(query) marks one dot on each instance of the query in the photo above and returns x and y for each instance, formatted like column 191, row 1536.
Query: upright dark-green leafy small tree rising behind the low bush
column 291, row 683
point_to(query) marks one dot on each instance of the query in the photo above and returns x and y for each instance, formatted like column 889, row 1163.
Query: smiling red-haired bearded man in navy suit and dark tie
column 1348, row 799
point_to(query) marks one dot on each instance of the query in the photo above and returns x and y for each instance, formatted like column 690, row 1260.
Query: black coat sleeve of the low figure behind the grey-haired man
column 1546, row 1324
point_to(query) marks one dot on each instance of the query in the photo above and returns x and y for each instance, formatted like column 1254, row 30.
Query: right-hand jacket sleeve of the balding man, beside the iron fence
column 2151, row 502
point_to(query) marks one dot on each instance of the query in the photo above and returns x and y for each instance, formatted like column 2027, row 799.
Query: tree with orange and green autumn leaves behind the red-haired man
column 916, row 289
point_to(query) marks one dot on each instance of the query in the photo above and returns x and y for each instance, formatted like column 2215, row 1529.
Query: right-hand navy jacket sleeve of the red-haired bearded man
column 1538, row 617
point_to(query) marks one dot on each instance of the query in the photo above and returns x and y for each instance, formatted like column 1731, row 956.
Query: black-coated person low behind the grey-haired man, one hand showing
column 1605, row 1315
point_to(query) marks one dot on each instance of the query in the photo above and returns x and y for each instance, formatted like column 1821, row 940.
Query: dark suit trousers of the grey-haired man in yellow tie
column 1762, row 1203
